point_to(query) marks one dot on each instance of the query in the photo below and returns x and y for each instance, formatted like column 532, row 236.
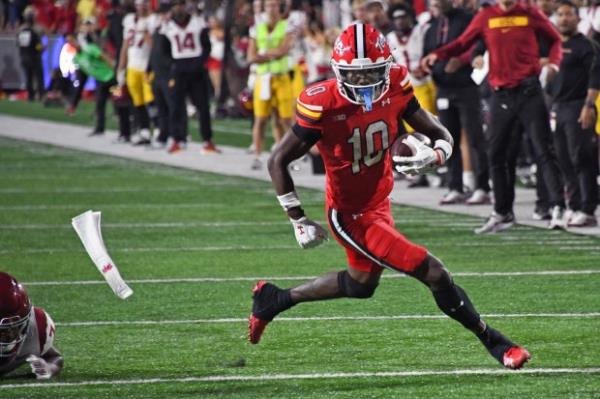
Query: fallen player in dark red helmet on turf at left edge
column 26, row 333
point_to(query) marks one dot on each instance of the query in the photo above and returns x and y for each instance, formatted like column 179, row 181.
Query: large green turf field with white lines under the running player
column 191, row 245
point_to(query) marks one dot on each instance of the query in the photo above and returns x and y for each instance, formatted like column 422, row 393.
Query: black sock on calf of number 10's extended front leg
column 455, row 303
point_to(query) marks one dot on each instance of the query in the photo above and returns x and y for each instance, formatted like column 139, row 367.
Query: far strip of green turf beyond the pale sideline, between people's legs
column 234, row 132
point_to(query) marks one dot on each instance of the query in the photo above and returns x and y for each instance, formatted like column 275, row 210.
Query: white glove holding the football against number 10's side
column 425, row 158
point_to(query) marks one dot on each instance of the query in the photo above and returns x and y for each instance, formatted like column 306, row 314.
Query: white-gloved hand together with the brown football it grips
column 412, row 155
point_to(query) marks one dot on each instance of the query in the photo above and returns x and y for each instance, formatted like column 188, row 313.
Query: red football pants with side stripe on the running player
column 372, row 242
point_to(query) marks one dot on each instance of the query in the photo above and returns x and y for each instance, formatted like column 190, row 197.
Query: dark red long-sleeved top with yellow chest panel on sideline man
column 511, row 38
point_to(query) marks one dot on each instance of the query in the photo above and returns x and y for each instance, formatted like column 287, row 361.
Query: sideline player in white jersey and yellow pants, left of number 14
column 133, row 63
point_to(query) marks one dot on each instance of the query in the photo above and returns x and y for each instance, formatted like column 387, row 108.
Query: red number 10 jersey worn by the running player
column 353, row 142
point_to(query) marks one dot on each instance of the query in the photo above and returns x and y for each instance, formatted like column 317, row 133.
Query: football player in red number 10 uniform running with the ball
column 354, row 119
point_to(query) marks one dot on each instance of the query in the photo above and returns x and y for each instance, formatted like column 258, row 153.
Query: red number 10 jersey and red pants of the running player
column 353, row 143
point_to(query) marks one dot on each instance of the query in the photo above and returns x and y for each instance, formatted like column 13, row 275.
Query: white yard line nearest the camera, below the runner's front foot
column 307, row 376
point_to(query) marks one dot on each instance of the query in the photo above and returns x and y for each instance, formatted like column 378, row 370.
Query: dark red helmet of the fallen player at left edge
column 15, row 312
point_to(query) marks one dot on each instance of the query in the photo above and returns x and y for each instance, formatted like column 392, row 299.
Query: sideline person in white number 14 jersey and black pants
column 190, row 48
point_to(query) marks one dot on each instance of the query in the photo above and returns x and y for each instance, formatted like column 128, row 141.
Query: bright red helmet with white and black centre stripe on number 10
column 361, row 60
